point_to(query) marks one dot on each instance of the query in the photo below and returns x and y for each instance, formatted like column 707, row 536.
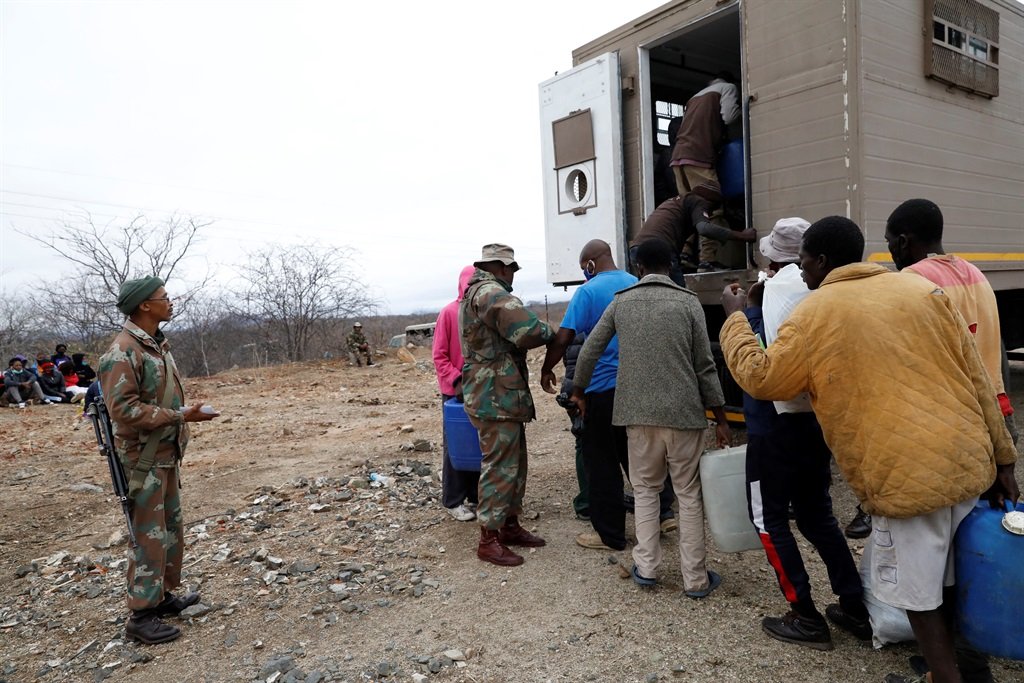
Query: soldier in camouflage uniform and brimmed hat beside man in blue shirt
column 497, row 331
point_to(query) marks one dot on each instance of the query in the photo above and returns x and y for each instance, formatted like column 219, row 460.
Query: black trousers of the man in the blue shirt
column 606, row 458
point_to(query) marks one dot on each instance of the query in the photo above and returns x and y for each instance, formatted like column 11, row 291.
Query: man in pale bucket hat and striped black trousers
column 789, row 463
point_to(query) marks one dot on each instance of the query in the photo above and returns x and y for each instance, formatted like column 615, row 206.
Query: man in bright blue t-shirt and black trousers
column 605, row 451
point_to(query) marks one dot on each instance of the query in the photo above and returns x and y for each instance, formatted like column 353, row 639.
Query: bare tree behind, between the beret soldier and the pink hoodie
column 294, row 293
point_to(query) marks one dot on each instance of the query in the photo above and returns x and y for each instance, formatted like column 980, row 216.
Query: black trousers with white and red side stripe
column 792, row 465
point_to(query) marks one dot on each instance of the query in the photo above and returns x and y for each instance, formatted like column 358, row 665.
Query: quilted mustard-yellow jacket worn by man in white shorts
column 897, row 382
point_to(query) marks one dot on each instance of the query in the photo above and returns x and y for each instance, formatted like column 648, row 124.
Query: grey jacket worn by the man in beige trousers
column 667, row 375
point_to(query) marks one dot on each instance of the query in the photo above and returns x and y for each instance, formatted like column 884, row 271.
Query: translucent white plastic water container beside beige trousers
column 723, row 485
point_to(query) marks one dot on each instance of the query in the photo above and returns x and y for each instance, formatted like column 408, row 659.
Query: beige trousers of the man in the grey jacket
column 654, row 451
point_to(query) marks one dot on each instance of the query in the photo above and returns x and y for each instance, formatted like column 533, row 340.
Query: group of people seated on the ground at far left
column 51, row 379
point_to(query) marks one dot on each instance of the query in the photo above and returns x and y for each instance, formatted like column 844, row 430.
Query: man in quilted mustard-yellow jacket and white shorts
column 906, row 406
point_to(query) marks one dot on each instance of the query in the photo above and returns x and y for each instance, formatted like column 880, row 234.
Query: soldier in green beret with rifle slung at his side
column 145, row 398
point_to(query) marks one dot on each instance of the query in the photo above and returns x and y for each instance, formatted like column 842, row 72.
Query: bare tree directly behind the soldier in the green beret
column 103, row 258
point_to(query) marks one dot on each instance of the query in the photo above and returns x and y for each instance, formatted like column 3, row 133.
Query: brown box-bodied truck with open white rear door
column 848, row 108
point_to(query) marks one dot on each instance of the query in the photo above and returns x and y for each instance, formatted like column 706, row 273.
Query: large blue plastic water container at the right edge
column 991, row 583
